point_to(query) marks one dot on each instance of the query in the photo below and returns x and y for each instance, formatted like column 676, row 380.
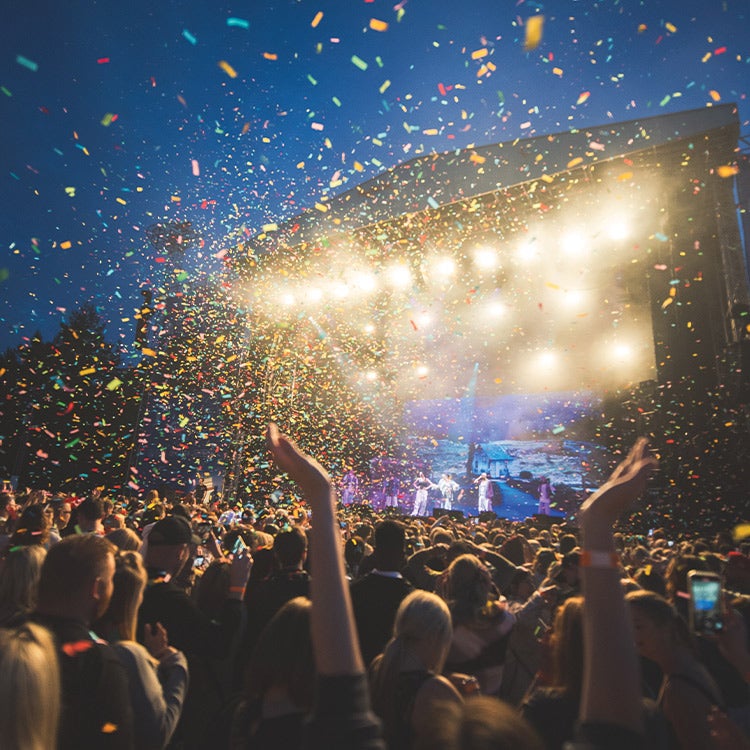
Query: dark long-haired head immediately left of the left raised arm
column 281, row 667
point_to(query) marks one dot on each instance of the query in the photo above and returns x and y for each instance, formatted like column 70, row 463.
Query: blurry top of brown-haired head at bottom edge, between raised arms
column 481, row 723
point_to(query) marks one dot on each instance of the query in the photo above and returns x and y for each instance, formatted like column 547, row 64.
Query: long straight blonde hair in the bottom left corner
column 29, row 689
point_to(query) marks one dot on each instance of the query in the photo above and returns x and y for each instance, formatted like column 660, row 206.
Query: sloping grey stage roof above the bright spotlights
column 435, row 180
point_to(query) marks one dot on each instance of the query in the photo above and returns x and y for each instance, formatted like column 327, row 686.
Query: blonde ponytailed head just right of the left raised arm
column 422, row 634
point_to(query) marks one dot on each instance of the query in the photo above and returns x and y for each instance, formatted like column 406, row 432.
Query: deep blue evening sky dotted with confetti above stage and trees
column 235, row 115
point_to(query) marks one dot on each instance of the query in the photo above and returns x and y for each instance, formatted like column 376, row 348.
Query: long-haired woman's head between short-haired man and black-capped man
column 119, row 621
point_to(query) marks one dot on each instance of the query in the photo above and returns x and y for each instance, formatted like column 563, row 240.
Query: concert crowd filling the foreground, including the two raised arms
column 151, row 624
